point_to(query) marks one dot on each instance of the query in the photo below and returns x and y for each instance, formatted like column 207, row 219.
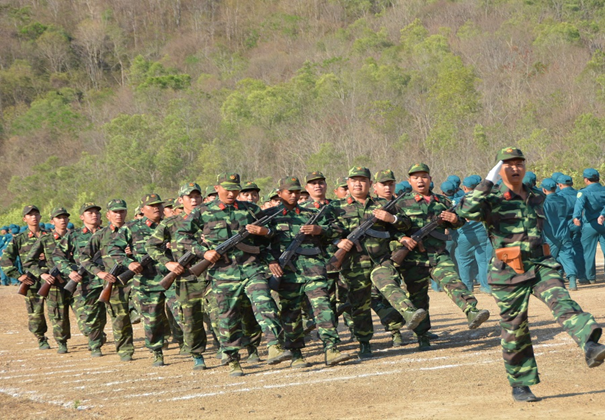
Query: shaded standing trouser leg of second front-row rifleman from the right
column 359, row 284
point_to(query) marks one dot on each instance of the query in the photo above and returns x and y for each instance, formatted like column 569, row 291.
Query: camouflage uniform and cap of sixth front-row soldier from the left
column 190, row 290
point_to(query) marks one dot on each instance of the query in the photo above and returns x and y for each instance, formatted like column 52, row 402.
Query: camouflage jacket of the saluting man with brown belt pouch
column 510, row 221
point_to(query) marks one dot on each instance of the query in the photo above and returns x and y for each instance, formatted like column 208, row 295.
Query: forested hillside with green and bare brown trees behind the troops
column 115, row 98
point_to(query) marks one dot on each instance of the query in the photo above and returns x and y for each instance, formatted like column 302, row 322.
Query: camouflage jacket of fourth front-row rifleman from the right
column 216, row 222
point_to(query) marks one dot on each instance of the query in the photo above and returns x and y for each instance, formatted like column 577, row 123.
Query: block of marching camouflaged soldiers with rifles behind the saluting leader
column 294, row 239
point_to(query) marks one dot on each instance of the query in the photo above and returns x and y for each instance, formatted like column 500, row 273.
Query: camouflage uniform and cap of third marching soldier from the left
column 67, row 257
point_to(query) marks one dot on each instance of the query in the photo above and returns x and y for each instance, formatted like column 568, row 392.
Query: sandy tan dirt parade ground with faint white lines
column 463, row 377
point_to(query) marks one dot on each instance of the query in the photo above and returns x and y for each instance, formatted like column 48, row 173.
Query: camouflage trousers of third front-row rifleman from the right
column 291, row 296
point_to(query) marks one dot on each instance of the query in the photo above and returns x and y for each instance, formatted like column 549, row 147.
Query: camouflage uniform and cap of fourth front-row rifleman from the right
column 238, row 273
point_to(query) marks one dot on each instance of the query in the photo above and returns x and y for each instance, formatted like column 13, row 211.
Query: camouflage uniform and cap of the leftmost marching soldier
column 18, row 248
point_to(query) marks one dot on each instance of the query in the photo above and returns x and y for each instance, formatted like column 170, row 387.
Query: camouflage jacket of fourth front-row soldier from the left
column 112, row 242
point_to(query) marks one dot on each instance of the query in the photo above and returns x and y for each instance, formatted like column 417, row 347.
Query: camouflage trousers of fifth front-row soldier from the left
column 153, row 311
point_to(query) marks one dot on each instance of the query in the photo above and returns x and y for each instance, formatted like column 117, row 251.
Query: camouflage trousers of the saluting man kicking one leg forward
column 513, row 301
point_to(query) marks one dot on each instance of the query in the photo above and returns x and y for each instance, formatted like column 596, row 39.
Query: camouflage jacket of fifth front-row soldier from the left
column 149, row 279
